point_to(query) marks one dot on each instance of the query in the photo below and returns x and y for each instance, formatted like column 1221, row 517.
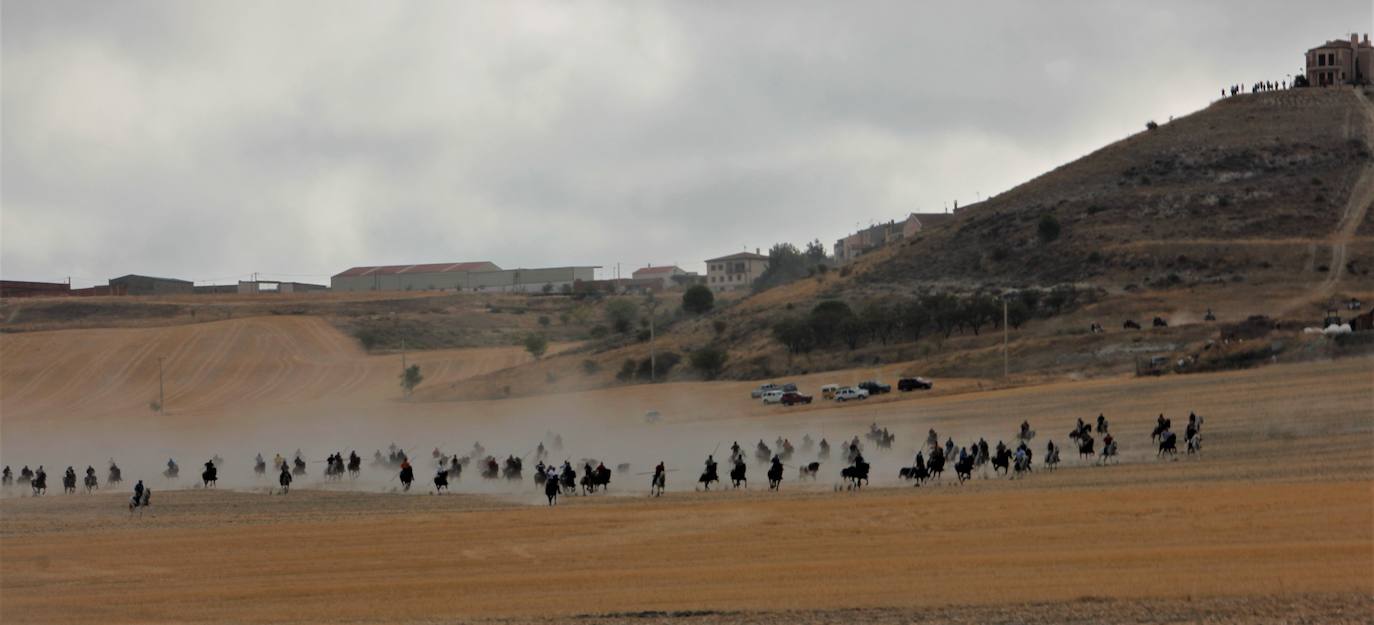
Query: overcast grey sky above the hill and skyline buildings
column 208, row 141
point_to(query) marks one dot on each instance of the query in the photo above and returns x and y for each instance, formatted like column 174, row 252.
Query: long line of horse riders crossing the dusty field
column 564, row 479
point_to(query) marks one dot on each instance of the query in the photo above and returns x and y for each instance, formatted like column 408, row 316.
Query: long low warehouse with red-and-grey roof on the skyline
column 462, row 277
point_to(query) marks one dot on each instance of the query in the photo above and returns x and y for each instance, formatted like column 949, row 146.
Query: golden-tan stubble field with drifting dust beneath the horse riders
column 1276, row 520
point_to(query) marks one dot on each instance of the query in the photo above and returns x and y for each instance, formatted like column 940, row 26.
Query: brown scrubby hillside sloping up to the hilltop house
column 1255, row 205
